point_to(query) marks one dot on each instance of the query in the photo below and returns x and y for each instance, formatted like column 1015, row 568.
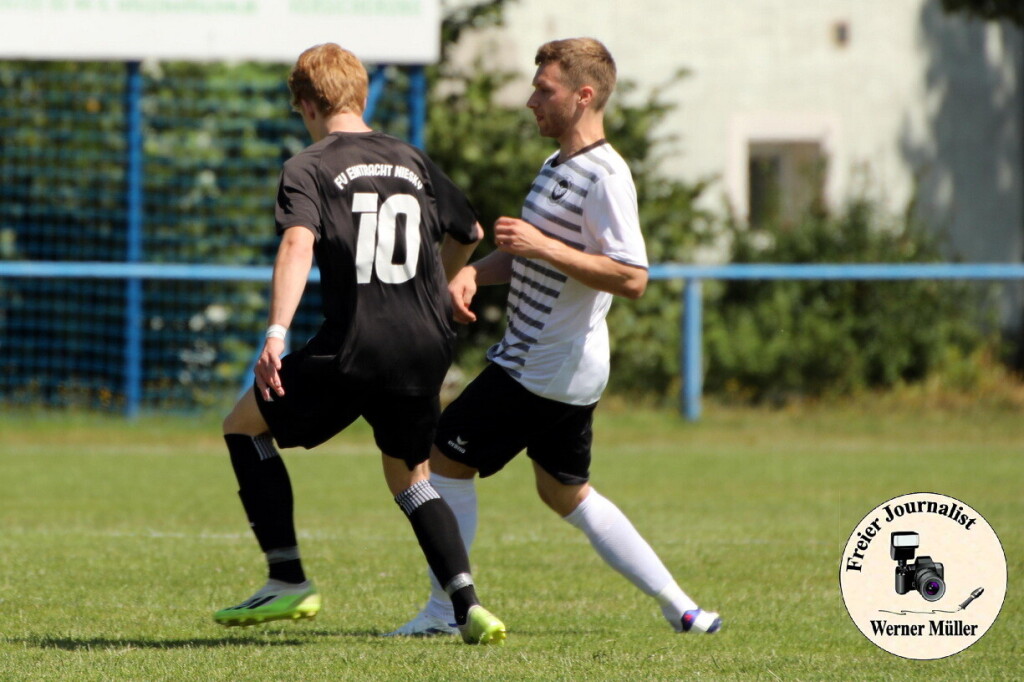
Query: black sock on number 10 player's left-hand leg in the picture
column 266, row 491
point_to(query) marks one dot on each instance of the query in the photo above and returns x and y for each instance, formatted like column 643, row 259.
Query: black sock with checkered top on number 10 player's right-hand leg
column 438, row 532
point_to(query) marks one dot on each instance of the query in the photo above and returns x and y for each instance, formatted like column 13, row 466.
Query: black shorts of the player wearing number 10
column 320, row 402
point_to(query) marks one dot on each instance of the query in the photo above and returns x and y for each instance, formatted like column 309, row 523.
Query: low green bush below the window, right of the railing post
column 775, row 340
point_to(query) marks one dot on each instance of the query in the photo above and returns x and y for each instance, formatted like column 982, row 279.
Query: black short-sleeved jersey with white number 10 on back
column 378, row 207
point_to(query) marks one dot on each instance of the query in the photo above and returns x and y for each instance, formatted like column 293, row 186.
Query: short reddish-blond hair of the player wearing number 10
column 330, row 77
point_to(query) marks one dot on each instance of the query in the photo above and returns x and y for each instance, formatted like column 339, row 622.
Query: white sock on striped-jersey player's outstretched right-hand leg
column 625, row 550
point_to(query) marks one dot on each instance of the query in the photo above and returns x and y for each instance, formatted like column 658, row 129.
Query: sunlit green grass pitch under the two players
column 119, row 540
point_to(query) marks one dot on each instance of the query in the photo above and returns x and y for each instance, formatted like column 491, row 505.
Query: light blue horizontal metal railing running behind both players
column 693, row 276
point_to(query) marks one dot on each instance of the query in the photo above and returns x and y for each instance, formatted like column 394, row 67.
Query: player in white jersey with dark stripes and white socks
column 577, row 245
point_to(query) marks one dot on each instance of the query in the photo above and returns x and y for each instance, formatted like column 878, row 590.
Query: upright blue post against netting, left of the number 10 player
column 134, row 203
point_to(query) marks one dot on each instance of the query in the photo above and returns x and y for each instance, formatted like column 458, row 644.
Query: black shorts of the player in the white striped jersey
column 496, row 418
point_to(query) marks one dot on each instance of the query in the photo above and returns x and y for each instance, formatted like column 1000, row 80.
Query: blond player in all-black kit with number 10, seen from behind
column 373, row 210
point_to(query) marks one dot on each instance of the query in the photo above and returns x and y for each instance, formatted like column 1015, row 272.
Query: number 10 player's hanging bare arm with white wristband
column 291, row 272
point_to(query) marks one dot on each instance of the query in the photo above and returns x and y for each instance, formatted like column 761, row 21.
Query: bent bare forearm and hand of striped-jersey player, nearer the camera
column 519, row 238
